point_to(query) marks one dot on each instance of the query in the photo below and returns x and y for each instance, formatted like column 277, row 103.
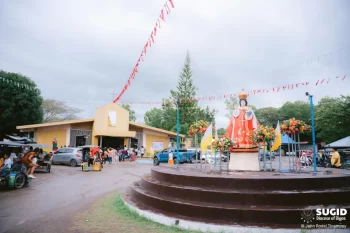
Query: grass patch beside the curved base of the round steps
column 110, row 215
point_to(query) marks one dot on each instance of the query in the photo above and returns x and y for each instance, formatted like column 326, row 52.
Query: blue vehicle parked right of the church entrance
column 183, row 156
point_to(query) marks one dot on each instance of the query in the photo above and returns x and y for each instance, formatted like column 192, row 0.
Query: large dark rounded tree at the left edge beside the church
column 20, row 102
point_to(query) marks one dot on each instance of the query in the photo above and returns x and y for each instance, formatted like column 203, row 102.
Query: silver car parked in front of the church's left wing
column 68, row 155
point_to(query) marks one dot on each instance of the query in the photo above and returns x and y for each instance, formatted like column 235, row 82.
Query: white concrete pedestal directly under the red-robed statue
column 244, row 161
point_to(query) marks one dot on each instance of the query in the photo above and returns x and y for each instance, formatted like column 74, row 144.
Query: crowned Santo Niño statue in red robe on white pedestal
column 242, row 123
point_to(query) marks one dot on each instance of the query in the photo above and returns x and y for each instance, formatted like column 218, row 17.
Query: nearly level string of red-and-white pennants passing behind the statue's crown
column 252, row 92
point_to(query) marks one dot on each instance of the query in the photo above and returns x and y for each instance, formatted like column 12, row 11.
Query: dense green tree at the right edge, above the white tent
column 332, row 118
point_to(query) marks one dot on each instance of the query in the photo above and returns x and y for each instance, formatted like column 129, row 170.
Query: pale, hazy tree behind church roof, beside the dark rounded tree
column 55, row 110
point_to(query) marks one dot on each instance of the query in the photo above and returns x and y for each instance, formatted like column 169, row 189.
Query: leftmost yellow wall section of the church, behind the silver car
column 46, row 137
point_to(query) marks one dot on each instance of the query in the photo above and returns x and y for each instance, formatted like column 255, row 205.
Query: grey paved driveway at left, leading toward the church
column 51, row 199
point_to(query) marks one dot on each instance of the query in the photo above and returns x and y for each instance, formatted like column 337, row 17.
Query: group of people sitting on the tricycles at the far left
column 28, row 157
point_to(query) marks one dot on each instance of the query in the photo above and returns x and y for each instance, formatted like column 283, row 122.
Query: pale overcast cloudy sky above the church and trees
column 83, row 51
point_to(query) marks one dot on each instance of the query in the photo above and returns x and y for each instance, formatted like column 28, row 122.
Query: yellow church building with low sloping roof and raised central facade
column 110, row 128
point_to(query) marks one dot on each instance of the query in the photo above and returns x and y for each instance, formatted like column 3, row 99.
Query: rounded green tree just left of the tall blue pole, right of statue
column 299, row 110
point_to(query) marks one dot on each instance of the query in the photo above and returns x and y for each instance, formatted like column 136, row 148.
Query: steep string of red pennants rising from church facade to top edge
column 161, row 19
